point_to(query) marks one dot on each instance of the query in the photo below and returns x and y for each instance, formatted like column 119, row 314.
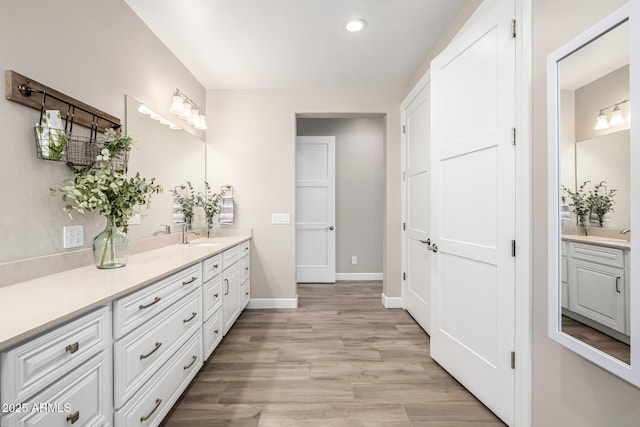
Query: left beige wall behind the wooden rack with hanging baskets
column 93, row 51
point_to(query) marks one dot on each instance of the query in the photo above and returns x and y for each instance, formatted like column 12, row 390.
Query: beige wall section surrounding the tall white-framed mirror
column 567, row 390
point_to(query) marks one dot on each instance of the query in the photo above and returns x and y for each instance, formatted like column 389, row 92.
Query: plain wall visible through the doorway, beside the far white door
column 359, row 188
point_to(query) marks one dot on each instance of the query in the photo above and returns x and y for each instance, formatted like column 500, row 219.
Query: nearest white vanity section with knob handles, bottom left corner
column 62, row 377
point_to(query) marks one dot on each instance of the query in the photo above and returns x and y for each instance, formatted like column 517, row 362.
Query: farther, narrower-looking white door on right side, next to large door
column 417, row 181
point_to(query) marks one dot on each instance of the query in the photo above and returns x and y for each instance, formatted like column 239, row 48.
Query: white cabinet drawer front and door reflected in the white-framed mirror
column 598, row 284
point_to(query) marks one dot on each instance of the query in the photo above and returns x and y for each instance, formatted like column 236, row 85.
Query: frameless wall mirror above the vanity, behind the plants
column 172, row 156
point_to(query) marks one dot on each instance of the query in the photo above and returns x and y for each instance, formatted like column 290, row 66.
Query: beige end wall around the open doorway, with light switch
column 251, row 145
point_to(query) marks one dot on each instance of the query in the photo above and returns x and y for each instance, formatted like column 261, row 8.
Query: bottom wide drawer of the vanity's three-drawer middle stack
column 149, row 407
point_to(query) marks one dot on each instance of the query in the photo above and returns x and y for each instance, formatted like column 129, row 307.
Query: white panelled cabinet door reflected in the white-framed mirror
column 598, row 292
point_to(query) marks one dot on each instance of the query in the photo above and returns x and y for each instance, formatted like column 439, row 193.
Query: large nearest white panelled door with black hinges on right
column 473, row 209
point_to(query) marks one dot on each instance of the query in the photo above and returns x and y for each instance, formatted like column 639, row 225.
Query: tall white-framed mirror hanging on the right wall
column 593, row 304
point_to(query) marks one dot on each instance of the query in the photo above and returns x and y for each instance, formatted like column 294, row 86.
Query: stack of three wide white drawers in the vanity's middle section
column 158, row 347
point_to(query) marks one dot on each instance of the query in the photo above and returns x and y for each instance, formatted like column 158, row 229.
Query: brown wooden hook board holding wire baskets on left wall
column 24, row 90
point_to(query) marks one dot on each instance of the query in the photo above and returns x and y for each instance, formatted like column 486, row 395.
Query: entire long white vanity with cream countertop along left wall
column 118, row 347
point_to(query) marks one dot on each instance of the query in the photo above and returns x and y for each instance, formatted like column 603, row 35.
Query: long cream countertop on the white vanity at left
column 31, row 307
